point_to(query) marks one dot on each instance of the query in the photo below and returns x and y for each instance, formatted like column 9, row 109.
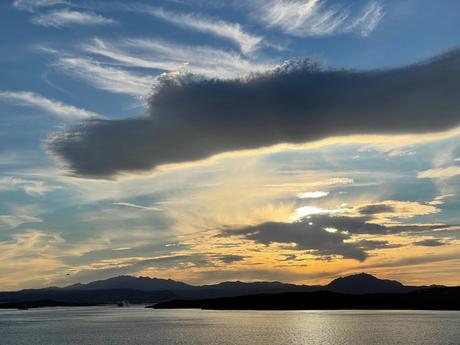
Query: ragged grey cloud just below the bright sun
column 311, row 234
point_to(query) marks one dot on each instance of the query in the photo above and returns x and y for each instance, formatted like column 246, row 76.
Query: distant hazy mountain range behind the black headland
column 153, row 290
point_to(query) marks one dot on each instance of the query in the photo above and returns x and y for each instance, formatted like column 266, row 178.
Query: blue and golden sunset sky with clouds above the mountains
column 206, row 141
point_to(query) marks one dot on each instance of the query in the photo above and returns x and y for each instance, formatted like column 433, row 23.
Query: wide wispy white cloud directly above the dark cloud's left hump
column 164, row 56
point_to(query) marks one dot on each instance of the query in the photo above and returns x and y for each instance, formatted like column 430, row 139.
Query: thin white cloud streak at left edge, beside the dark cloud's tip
column 51, row 106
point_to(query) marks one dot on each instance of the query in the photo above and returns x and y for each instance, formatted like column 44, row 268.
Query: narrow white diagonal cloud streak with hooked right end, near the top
column 221, row 28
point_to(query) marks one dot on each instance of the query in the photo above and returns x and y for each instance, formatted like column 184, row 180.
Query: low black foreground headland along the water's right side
column 431, row 299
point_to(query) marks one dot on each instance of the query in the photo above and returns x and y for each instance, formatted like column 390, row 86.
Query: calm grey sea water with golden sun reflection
column 136, row 325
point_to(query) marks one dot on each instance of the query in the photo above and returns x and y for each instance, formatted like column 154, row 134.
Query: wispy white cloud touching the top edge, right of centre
column 305, row 18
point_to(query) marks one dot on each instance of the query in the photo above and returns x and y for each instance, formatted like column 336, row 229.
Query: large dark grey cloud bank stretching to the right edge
column 190, row 119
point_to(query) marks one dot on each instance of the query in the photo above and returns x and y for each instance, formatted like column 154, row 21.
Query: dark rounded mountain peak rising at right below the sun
column 365, row 283
